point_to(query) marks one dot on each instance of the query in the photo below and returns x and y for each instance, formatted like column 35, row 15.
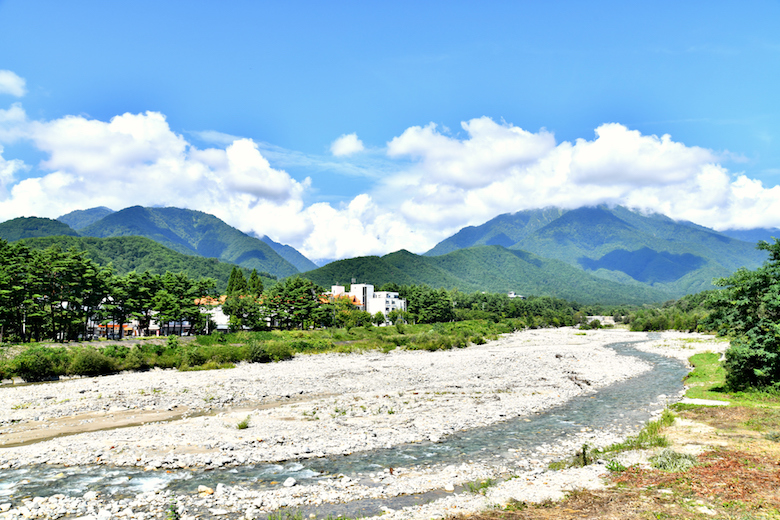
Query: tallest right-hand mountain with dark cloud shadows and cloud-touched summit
column 617, row 244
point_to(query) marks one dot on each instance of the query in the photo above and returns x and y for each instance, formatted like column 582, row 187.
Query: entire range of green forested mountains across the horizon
column 591, row 254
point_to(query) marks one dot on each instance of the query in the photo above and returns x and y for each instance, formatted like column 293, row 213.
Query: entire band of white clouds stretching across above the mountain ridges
column 430, row 182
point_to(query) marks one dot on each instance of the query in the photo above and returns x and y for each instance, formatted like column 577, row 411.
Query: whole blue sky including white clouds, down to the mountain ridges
column 459, row 113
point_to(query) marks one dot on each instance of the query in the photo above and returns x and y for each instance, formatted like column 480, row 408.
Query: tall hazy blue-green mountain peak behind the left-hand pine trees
column 193, row 233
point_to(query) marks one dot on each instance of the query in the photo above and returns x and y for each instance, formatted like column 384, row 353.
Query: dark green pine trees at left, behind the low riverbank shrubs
column 58, row 295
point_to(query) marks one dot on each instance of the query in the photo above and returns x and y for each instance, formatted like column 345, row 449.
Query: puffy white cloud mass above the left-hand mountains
column 137, row 159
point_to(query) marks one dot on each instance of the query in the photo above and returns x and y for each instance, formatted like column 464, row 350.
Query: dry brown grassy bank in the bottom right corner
column 737, row 478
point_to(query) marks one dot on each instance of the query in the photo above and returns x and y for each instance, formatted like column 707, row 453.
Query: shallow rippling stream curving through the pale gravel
column 626, row 404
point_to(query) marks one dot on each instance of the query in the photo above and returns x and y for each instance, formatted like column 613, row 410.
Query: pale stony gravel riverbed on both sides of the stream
column 315, row 406
